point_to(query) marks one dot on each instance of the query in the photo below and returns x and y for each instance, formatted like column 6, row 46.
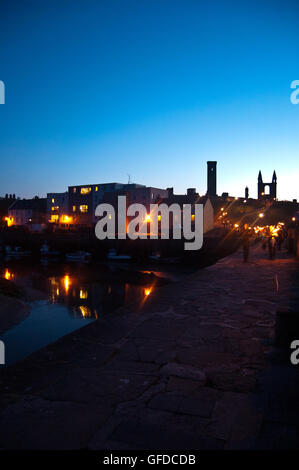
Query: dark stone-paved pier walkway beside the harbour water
column 191, row 368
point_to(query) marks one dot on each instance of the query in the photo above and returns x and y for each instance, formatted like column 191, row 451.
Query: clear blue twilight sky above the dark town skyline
column 97, row 90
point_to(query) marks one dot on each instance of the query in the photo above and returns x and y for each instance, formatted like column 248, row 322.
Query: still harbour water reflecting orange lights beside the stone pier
column 71, row 298
